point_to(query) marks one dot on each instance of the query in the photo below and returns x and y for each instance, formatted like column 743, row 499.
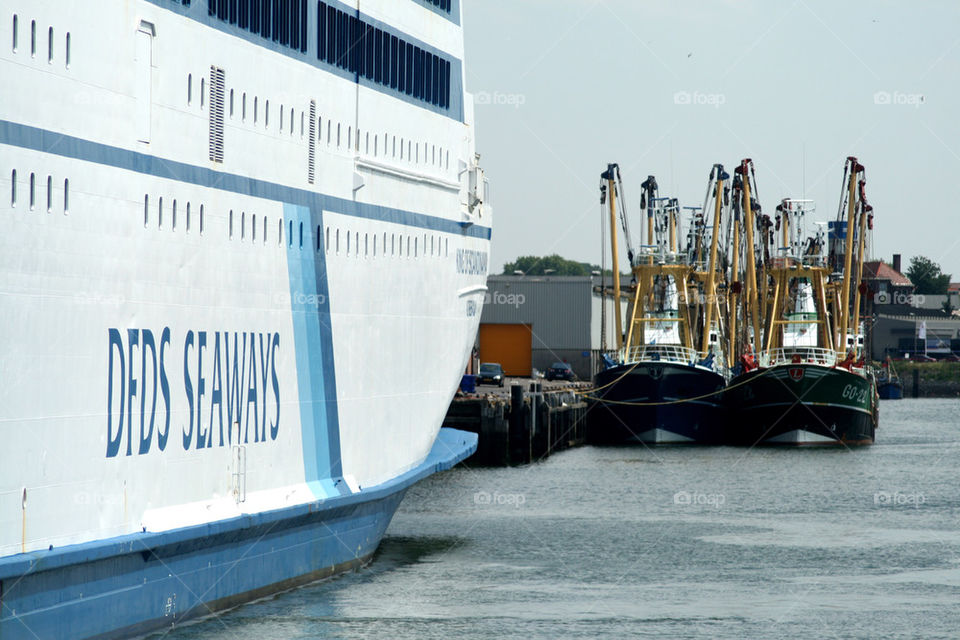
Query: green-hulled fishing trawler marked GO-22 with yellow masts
column 809, row 383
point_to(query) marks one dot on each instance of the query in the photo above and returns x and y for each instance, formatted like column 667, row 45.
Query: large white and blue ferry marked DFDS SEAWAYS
column 244, row 247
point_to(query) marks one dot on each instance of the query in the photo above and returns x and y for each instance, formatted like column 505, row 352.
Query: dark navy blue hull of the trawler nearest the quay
column 698, row 421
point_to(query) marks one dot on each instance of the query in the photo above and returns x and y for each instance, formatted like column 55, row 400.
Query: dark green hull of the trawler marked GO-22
column 802, row 404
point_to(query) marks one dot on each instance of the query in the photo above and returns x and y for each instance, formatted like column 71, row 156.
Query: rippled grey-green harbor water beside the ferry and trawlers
column 672, row 542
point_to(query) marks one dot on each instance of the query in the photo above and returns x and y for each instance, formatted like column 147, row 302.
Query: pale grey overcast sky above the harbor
column 670, row 87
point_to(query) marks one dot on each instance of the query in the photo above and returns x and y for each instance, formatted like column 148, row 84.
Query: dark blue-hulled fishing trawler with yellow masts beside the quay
column 661, row 388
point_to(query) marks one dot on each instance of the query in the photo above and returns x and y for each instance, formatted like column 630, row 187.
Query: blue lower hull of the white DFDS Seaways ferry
column 143, row 582
